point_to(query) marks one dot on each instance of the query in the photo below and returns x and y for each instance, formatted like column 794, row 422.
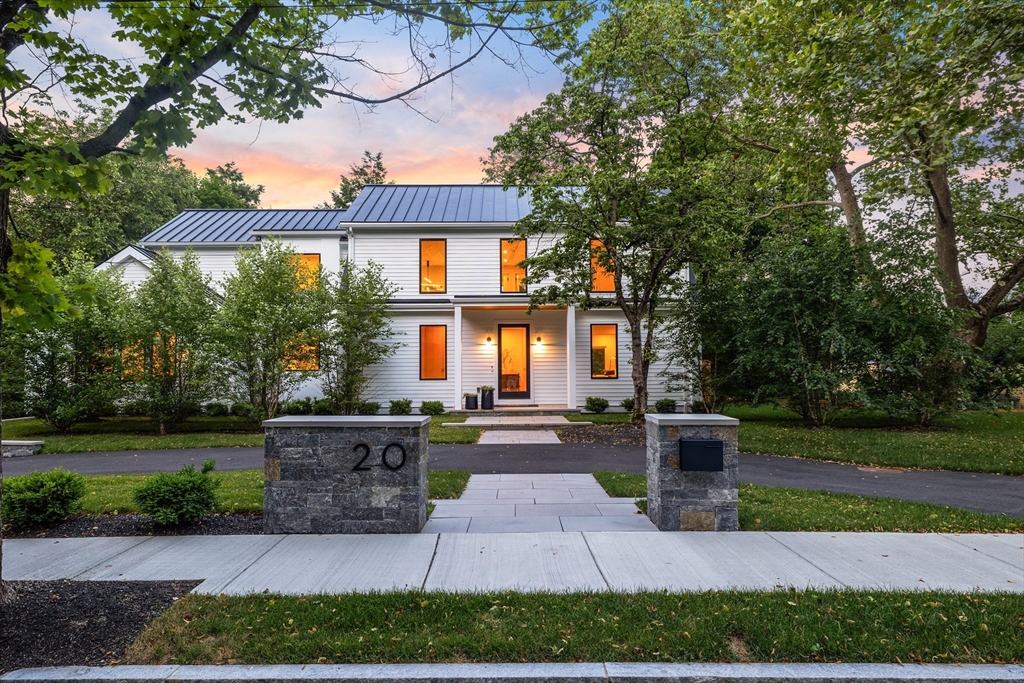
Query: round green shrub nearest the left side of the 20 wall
column 179, row 498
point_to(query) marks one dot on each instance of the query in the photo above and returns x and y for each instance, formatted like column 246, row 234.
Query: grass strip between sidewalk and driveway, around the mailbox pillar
column 778, row 509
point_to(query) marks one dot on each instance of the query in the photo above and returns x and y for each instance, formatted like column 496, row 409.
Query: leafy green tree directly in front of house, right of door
column 632, row 153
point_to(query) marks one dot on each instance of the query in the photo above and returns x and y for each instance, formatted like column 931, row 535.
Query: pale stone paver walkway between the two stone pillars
column 520, row 503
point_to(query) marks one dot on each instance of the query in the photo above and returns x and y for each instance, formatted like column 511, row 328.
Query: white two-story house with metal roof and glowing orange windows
column 460, row 313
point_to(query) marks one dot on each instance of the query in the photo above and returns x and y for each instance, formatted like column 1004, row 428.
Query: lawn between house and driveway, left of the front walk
column 141, row 435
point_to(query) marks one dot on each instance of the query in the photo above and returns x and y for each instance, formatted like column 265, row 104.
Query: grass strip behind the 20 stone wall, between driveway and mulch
column 239, row 492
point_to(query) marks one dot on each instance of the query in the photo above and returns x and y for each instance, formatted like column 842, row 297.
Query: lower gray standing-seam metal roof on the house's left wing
column 237, row 226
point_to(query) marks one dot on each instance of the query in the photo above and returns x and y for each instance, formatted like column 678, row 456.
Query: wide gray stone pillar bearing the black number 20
column 346, row 475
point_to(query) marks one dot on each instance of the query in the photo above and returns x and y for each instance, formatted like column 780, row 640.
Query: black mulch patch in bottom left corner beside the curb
column 66, row 623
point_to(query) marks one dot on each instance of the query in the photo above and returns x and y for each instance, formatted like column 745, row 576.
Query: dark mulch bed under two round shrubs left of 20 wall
column 137, row 525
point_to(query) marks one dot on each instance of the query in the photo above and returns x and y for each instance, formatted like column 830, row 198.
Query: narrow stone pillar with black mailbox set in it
column 685, row 491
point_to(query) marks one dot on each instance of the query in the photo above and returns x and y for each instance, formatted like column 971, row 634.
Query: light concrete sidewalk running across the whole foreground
column 557, row 562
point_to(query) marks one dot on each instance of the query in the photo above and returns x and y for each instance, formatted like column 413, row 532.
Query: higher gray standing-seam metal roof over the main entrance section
column 439, row 204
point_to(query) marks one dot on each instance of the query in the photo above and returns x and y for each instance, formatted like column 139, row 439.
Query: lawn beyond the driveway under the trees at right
column 965, row 442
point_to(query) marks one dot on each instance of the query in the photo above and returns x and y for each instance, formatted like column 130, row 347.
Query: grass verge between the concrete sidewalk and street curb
column 728, row 626
